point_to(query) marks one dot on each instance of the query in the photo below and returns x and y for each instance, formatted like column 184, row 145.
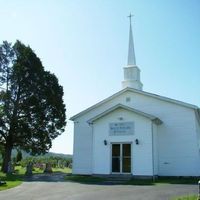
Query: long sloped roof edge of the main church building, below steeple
column 139, row 92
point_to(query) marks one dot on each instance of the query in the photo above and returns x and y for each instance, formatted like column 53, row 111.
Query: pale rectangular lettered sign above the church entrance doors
column 121, row 128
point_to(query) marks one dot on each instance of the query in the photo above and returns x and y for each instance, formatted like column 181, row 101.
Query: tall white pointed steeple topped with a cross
column 131, row 71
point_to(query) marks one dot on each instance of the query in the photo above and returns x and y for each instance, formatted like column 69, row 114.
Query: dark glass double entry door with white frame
column 121, row 158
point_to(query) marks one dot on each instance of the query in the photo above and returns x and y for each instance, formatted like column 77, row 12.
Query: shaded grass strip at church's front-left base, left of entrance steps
column 84, row 179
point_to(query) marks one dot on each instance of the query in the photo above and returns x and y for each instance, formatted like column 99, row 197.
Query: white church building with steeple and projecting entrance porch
column 137, row 133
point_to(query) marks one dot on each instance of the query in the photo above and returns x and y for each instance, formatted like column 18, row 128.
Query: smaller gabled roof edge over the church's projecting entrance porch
column 151, row 117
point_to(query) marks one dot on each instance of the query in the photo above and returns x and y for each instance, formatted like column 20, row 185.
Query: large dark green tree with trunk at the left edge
column 32, row 111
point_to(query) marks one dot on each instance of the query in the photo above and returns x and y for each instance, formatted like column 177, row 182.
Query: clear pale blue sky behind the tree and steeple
column 85, row 43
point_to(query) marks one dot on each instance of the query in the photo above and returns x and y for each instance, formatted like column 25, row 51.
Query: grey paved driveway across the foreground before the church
column 59, row 190
